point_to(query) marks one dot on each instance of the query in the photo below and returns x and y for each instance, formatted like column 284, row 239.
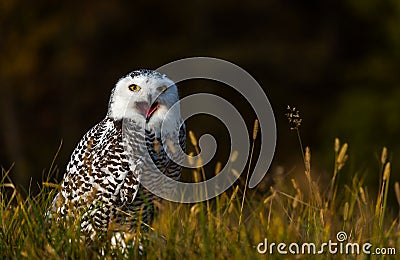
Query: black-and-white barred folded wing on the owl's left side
column 98, row 168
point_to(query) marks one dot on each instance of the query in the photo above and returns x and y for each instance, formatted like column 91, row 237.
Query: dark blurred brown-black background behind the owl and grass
column 336, row 61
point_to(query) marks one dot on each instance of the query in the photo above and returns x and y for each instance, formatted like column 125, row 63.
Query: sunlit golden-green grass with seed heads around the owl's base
column 295, row 209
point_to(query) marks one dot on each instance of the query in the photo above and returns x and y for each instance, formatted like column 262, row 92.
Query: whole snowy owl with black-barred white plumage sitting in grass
column 103, row 179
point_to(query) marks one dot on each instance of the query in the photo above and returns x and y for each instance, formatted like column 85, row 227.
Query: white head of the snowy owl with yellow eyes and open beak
column 144, row 96
